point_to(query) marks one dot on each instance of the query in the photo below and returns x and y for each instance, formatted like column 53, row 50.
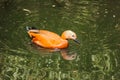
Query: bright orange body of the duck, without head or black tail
column 48, row 39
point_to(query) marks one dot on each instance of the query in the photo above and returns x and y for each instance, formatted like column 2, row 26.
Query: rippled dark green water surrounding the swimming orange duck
column 96, row 23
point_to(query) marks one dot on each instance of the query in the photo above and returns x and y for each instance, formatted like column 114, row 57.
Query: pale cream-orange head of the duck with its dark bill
column 68, row 34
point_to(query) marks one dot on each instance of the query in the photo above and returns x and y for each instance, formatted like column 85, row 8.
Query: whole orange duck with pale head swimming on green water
column 47, row 39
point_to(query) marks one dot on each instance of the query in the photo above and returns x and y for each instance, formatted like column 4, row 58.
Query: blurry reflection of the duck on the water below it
column 67, row 55
